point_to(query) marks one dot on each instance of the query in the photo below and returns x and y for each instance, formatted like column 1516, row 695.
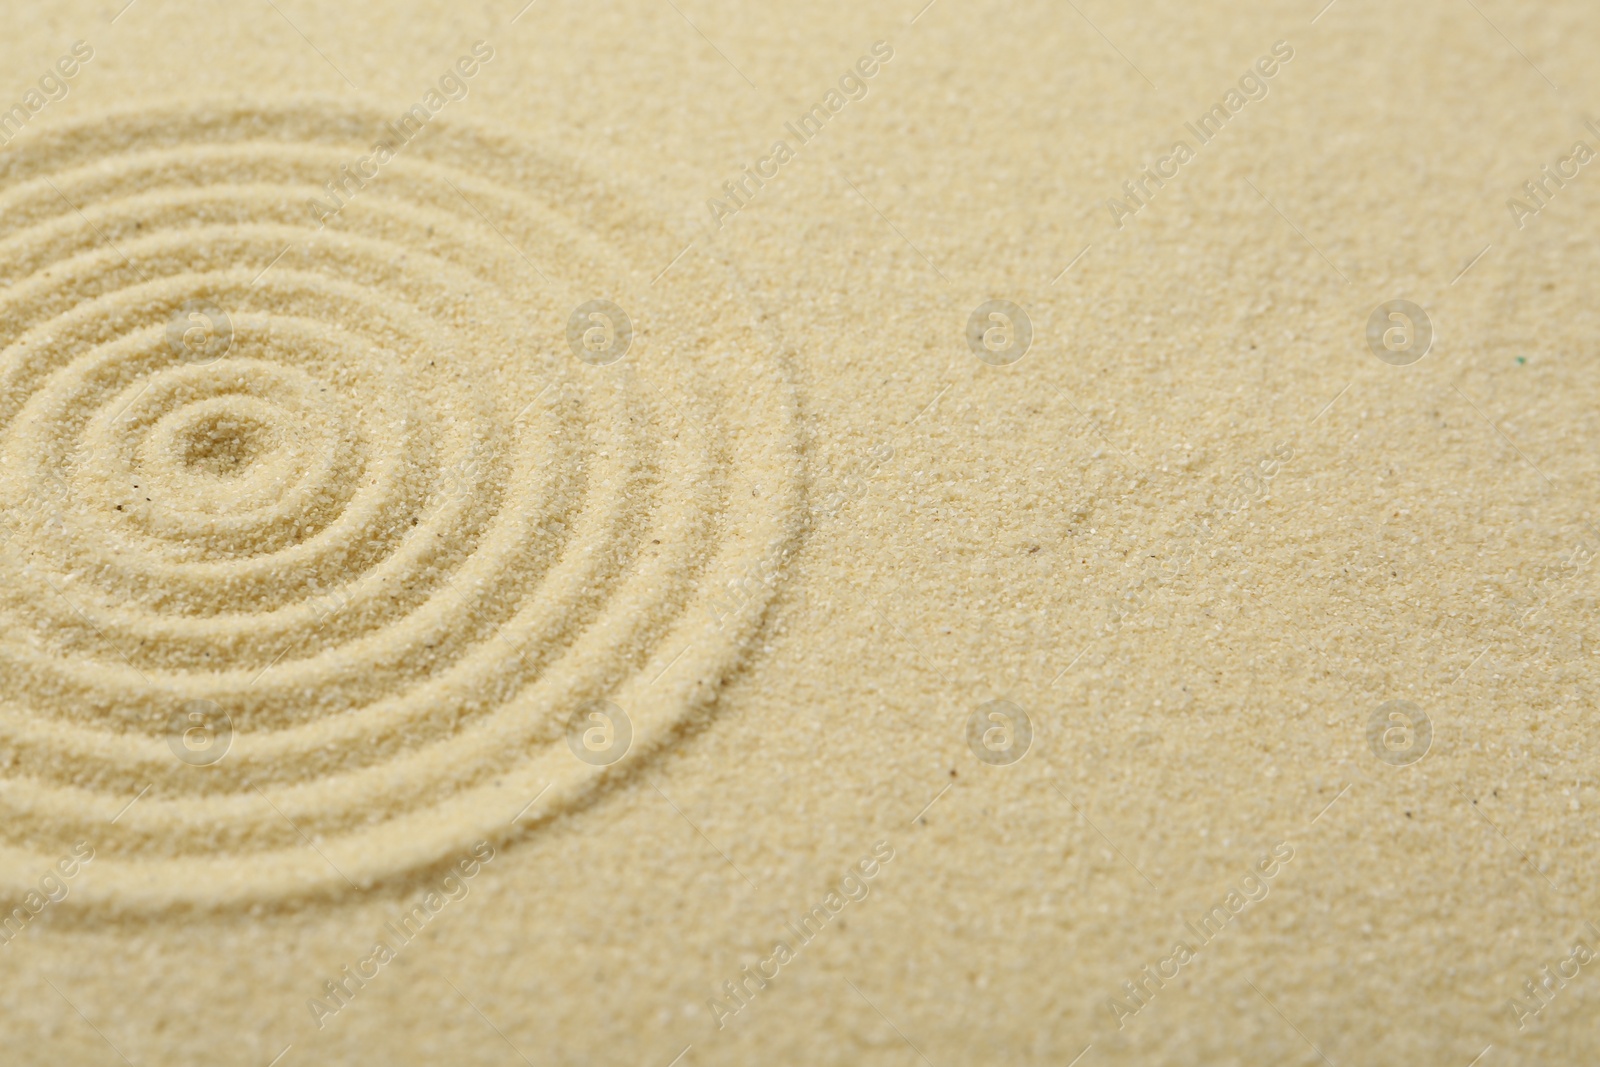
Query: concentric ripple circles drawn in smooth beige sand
column 380, row 518
